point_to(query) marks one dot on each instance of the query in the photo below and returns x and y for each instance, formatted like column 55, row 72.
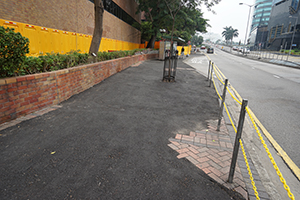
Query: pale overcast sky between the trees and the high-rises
column 228, row 13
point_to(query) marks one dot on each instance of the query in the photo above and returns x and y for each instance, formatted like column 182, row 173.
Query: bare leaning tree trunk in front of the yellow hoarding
column 99, row 9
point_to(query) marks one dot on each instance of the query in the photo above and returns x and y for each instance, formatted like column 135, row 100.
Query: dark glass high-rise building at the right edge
column 284, row 19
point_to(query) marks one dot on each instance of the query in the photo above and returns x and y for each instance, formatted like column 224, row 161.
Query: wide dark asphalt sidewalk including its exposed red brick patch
column 130, row 137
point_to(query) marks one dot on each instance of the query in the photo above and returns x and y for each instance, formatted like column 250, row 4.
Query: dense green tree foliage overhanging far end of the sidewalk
column 187, row 16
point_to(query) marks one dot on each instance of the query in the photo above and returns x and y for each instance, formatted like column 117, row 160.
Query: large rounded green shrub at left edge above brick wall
column 13, row 48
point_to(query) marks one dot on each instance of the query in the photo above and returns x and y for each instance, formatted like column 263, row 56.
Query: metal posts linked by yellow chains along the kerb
column 215, row 72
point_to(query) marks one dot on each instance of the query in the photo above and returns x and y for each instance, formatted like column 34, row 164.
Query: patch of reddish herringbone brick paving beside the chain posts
column 210, row 151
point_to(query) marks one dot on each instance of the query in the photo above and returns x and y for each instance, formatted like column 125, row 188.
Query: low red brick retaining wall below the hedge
column 26, row 94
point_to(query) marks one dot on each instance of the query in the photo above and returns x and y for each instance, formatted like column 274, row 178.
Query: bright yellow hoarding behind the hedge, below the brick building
column 47, row 40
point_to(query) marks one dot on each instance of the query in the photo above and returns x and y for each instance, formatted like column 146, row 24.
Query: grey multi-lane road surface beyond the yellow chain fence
column 273, row 94
